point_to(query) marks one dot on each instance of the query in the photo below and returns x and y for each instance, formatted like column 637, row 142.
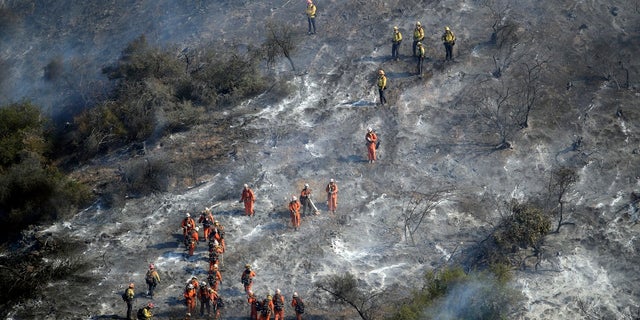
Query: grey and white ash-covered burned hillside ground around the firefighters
column 435, row 139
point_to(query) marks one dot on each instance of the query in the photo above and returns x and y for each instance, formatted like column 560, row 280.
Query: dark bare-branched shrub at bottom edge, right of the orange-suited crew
column 345, row 289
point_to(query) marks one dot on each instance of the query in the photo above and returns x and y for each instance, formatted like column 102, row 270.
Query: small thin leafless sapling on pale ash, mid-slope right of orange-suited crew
column 417, row 208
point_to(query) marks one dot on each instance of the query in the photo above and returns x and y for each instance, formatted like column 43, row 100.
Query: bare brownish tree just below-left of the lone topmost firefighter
column 280, row 42
